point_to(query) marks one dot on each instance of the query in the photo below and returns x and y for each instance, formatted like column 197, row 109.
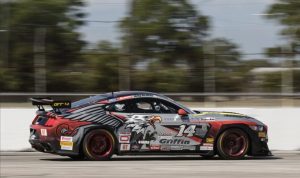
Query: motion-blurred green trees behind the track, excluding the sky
column 165, row 46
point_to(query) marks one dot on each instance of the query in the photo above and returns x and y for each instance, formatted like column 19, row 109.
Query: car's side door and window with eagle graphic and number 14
column 152, row 124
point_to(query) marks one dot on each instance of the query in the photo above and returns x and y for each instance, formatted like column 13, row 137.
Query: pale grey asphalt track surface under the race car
column 18, row 164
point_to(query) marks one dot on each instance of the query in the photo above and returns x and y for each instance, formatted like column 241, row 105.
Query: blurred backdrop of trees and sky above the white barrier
column 210, row 53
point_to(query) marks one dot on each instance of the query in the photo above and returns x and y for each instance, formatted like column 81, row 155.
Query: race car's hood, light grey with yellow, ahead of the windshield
column 224, row 116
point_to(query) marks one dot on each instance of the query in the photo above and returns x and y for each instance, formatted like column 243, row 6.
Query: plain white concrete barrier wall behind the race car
column 283, row 123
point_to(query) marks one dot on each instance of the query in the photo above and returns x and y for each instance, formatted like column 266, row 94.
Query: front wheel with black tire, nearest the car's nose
column 233, row 144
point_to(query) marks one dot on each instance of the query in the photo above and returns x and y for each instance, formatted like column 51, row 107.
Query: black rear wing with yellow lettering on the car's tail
column 56, row 105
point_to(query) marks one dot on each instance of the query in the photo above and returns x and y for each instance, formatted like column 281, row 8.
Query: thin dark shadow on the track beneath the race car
column 164, row 158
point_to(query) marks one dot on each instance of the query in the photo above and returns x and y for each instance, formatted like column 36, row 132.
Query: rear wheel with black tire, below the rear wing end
column 99, row 145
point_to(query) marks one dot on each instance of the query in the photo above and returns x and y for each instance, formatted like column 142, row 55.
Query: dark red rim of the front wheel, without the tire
column 234, row 144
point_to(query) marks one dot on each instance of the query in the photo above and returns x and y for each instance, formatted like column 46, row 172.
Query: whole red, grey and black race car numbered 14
column 140, row 122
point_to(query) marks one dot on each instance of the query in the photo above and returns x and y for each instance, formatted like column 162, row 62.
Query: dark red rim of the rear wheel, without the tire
column 100, row 144
